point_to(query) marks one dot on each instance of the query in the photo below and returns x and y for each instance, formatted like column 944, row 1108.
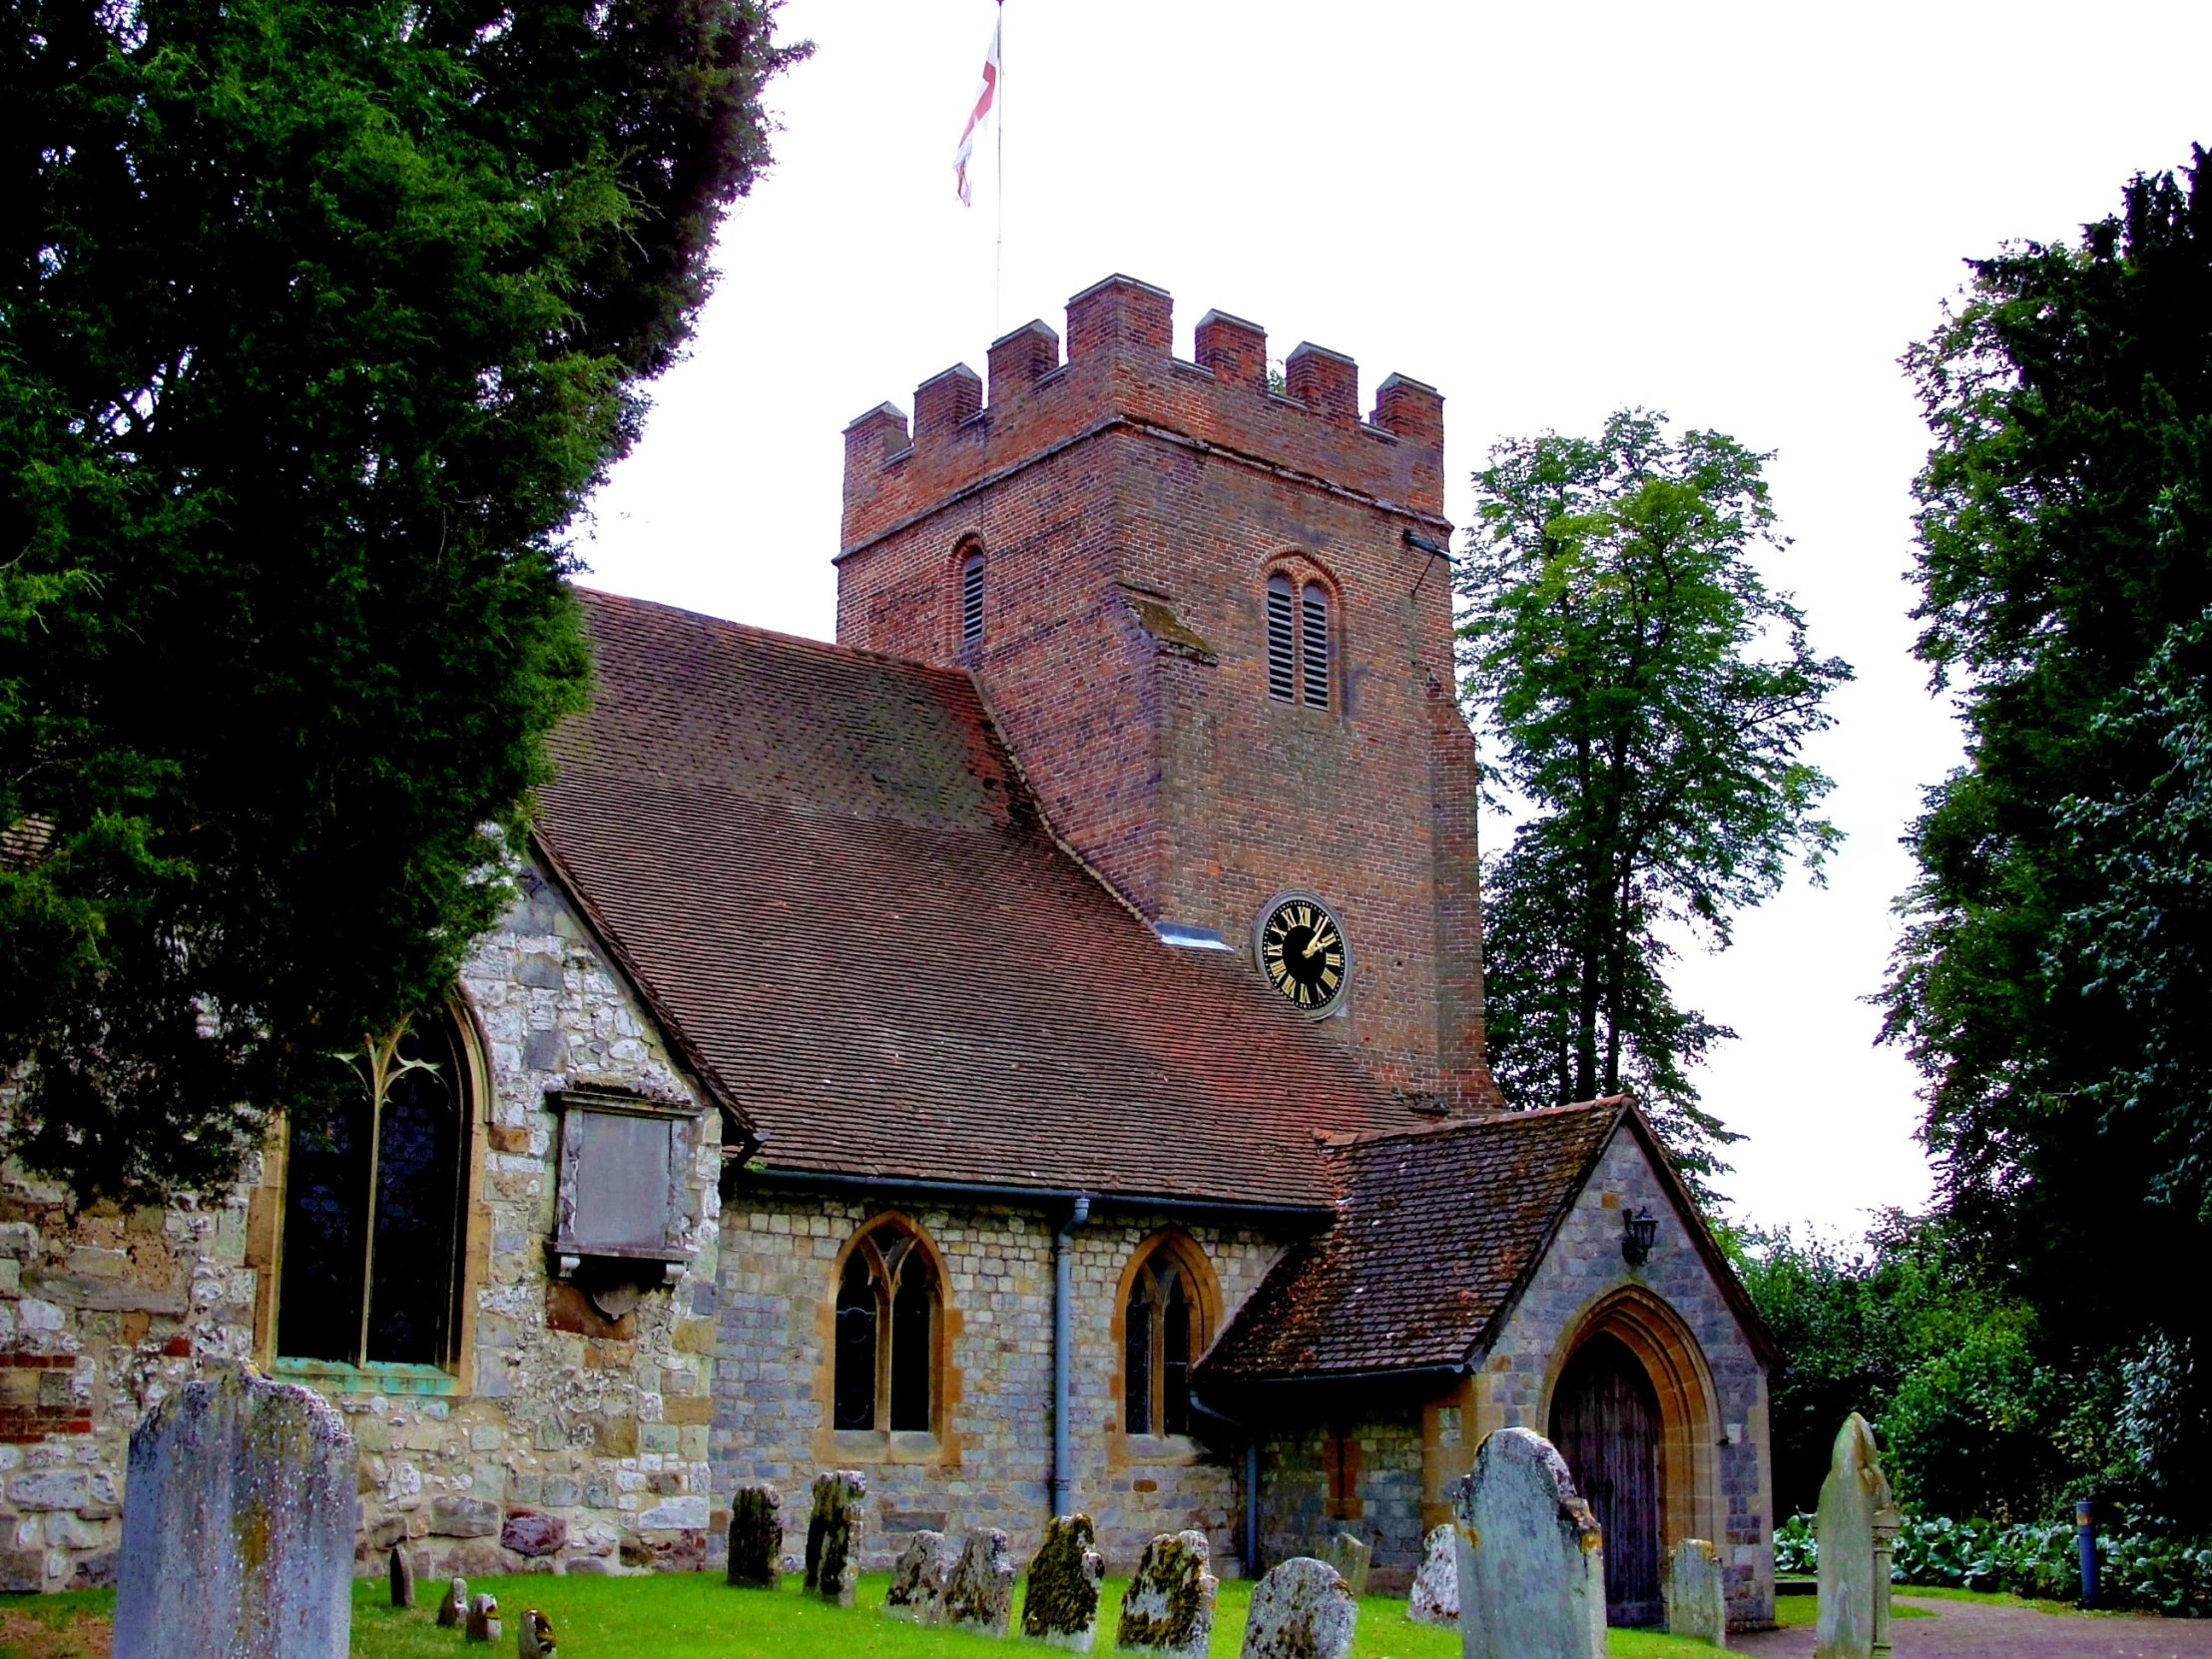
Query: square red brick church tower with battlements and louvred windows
column 1109, row 543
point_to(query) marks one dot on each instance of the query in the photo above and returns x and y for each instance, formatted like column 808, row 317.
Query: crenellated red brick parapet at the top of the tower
column 1120, row 371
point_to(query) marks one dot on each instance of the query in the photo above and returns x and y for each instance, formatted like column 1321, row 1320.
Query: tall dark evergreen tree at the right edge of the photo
column 2052, row 983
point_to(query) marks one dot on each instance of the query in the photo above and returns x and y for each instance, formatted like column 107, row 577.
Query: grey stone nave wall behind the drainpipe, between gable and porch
column 992, row 1465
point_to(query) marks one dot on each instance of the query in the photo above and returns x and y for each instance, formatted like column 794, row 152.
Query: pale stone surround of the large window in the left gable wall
column 267, row 1211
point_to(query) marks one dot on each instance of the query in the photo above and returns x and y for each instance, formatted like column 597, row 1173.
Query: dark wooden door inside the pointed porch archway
column 1605, row 1419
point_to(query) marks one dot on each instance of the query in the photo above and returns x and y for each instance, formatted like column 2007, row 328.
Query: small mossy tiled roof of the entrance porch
column 1434, row 1233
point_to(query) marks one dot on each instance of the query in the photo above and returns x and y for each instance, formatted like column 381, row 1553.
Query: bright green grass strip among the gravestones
column 693, row 1616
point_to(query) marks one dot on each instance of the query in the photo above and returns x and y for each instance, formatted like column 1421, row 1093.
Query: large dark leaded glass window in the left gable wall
column 377, row 1211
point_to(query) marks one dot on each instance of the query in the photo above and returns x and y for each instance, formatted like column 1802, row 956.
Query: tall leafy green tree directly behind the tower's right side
column 1649, row 698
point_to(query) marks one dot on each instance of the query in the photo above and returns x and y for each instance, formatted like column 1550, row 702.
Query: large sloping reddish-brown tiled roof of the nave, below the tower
column 828, row 879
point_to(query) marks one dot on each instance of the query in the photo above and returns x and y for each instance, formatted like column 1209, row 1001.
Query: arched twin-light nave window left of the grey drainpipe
column 888, row 1317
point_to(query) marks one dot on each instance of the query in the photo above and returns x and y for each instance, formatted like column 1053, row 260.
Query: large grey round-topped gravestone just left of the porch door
column 1532, row 1556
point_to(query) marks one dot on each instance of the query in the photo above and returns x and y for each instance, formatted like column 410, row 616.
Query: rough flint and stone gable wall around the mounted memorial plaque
column 601, row 1426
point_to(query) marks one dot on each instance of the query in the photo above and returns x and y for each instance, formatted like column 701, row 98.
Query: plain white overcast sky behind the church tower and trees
column 1733, row 213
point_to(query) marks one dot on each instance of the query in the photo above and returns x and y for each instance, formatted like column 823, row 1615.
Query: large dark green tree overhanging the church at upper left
column 317, row 324
